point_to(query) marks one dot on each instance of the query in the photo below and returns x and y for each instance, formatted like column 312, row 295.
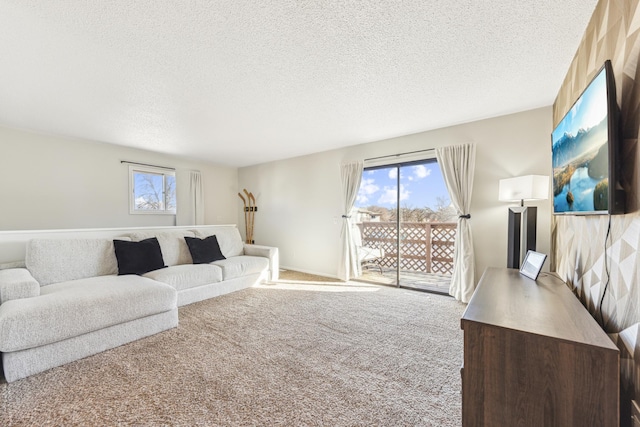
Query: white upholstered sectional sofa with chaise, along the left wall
column 69, row 301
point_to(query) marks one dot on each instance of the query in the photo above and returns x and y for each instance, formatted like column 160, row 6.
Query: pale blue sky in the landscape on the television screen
column 588, row 111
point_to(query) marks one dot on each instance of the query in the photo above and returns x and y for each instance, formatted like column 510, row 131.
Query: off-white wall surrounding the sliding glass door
column 300, row 200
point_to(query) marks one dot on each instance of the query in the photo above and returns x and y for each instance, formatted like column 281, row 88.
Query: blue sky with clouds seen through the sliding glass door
column 420, row 186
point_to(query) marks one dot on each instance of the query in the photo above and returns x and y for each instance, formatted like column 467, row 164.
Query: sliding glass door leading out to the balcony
column 405, row 226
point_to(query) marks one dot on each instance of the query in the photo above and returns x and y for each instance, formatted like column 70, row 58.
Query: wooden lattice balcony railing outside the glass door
column 424, row 246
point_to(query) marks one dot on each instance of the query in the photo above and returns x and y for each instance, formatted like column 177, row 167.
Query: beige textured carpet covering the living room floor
column 290, row 354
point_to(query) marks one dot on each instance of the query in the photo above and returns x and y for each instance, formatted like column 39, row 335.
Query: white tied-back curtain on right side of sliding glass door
column 458, row 165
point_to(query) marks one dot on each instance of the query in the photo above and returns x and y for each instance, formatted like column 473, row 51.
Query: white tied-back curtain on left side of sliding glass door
column 351, row 174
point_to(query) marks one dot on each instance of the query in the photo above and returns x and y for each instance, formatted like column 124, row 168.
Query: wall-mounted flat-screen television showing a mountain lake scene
column 585, row 152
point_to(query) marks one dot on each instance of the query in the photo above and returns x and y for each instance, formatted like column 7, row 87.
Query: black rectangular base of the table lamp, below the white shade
column 521, row 234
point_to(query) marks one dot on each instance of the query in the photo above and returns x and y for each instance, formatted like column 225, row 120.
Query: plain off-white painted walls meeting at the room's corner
column 51, row 182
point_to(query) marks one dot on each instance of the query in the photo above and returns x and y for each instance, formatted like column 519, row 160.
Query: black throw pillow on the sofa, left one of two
column 138, row 257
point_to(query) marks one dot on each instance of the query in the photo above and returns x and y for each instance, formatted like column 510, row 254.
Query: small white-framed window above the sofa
column 152, row 190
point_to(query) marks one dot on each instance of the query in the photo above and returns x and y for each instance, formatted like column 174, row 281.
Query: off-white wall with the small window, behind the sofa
column 53, row 182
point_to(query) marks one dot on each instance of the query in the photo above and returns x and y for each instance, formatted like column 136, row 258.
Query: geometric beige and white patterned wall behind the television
column 598, row 255
